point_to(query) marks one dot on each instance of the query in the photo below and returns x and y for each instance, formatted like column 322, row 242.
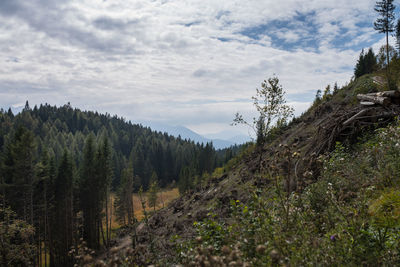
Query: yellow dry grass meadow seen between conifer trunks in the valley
column 163, row 198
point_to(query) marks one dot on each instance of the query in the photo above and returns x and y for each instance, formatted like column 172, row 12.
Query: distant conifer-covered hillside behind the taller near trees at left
column 59, row 128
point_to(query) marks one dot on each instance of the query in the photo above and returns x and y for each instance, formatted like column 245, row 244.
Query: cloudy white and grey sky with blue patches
column 180, row 62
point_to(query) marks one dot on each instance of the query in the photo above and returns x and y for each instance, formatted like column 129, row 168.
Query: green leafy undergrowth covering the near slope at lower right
column 350, row 216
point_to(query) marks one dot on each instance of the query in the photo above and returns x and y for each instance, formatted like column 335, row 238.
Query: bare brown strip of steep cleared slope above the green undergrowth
column 309, row 136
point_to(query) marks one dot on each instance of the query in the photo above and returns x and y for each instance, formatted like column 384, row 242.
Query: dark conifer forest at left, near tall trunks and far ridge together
column 59, row 166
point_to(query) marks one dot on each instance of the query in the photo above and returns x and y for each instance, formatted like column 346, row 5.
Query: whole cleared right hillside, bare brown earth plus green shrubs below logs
column 316, row 186
